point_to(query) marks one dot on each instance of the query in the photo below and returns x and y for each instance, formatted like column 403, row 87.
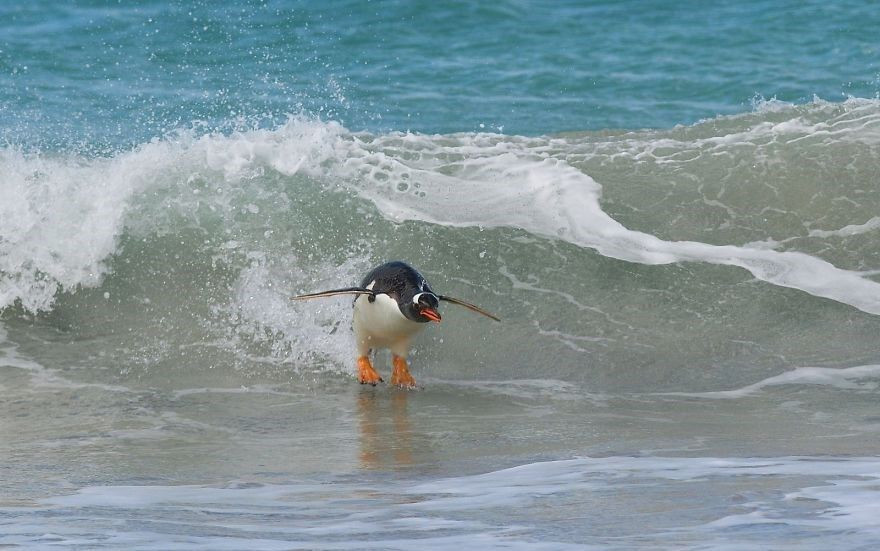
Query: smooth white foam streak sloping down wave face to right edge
column 507, row 185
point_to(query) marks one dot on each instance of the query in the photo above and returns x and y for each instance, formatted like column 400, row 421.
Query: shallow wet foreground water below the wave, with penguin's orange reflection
column 324, row 463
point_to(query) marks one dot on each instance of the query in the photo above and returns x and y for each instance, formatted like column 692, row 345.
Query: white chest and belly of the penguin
column 381, row 323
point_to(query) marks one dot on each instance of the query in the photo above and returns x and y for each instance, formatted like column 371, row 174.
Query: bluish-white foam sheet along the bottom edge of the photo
column 833, row 498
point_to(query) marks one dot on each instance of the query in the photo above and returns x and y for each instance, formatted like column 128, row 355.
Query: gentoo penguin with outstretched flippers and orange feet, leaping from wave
column 393, row 303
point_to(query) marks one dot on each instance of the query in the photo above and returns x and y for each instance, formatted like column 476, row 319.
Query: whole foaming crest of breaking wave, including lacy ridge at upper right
column 61, row 217
